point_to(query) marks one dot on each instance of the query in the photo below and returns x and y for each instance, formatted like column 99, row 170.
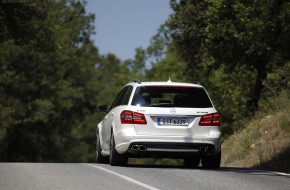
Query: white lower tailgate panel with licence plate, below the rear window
column 172, row 122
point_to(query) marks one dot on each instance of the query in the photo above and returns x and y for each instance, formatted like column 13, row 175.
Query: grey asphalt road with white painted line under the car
column 39, row 176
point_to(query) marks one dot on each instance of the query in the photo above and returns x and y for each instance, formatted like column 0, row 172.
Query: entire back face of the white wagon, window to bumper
column 170, row 120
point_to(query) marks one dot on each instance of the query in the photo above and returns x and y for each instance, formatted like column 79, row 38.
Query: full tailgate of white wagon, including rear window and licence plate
column 172, row 110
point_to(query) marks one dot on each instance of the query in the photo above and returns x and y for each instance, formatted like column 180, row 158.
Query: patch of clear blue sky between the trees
column 123, row 25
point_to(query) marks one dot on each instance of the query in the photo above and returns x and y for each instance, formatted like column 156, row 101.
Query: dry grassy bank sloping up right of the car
column 264, row 141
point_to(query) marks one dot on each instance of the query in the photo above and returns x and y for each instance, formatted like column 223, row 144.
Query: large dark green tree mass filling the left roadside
column 47, row 79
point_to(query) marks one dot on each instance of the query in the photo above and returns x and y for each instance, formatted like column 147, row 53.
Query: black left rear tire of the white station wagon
column 116, row 159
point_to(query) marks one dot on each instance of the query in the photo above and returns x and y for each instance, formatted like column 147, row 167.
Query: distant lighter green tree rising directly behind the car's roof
column 157, row 62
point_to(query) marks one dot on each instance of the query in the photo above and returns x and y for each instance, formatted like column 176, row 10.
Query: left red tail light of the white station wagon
column 129, row 117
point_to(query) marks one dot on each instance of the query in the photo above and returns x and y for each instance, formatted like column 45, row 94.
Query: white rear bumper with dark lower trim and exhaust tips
column 167, row 146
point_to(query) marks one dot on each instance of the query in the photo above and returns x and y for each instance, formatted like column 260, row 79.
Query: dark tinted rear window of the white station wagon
column 171, row 96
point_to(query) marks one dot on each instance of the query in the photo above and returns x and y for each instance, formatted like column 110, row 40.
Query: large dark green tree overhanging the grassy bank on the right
column 226, row 37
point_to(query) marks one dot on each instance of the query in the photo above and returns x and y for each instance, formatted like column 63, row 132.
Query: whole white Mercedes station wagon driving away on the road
column 163, row 120
